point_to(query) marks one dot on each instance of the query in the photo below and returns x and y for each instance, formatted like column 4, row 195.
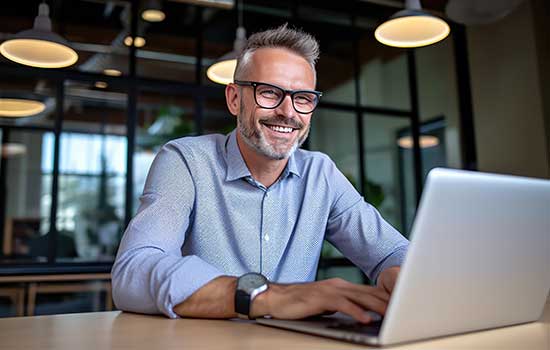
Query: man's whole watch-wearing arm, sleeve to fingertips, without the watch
column 150, row 275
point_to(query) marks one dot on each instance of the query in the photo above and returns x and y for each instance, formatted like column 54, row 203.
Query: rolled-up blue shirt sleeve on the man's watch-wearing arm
column 150, row 275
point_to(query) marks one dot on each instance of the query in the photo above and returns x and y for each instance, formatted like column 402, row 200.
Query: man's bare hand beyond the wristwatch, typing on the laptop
column 295, row 301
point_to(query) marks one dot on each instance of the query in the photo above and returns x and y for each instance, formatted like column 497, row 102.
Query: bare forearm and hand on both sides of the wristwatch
column 287, row 301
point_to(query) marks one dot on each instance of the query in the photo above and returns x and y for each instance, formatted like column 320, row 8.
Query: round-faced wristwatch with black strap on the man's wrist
column 249, row 286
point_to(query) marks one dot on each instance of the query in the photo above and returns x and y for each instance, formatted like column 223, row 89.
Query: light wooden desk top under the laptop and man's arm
column 115, row 329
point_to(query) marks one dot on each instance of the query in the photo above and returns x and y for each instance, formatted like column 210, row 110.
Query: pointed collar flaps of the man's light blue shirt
column 236, row 167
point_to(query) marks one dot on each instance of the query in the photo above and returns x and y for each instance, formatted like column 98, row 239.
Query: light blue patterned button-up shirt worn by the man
column 202, row 215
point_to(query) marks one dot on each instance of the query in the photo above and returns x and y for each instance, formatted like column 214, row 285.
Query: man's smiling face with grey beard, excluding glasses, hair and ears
column 267, row 130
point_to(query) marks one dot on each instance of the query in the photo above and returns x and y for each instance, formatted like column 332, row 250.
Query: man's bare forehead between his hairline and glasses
column 281, row 67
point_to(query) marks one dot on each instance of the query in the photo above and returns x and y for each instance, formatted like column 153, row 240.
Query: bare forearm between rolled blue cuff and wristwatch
column 213, row 300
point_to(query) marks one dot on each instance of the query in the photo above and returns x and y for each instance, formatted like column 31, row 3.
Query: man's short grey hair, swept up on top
column 294, row 40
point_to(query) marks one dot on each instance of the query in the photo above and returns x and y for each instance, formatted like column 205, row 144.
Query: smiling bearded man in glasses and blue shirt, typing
column 216, row 207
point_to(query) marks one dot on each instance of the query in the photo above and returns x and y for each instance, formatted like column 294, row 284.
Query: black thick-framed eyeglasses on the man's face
column 271, row 96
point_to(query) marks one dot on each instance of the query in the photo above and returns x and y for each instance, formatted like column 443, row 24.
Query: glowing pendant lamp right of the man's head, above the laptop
column 412, row 27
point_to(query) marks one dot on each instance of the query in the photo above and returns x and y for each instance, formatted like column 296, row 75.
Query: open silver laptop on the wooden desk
column 479, row 258
